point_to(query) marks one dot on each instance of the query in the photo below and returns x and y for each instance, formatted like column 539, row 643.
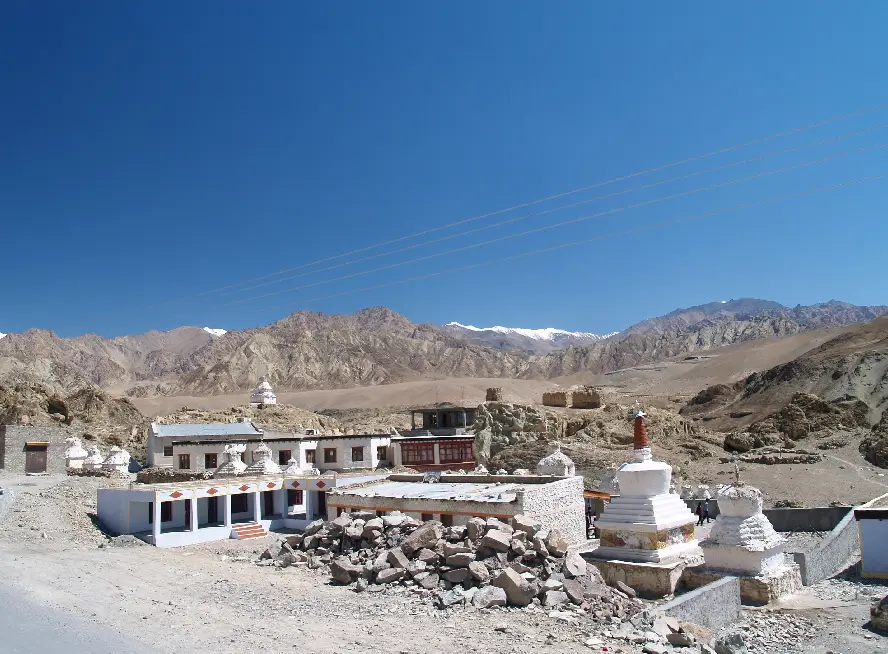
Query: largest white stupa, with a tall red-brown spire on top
column 646, row 522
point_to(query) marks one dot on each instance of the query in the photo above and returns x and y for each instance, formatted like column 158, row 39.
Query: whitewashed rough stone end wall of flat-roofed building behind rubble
column 558, row 505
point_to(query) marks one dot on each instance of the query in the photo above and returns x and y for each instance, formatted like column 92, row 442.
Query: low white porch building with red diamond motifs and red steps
column 176, row 514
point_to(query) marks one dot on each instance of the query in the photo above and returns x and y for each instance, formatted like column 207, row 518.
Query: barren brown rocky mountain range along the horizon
column 377, row 346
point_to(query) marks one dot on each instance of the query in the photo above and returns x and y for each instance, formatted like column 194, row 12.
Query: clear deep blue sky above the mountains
column 152, row 152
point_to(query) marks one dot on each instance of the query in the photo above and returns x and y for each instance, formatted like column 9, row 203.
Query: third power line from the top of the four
column 563, row 223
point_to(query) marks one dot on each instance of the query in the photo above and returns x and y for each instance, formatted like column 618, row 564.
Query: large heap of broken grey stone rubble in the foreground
column 484, row 563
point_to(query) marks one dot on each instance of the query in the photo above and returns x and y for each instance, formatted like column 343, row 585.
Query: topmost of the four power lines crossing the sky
column 556, row 196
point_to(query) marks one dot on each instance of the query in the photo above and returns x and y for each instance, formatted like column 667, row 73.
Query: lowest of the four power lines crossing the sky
column 625, row 232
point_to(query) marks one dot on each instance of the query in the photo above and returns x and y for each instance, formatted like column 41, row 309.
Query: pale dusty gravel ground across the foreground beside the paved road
column 216, row 595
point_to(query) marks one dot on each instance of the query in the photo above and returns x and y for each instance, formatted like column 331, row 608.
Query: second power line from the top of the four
column 560, row 208
